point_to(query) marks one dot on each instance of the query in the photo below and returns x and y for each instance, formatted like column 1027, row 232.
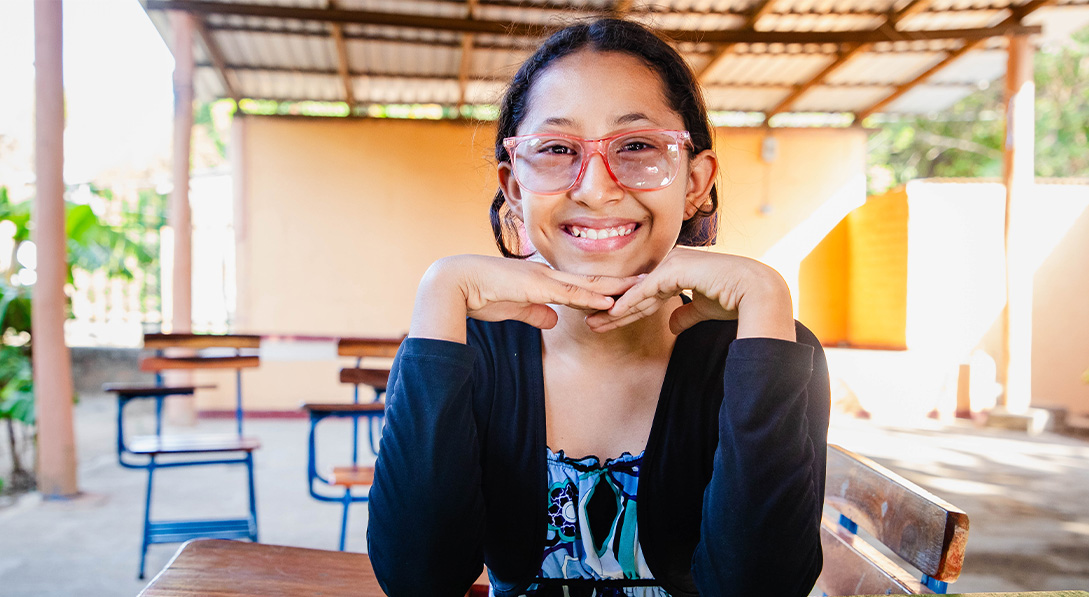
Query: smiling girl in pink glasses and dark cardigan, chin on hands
column 617, row 415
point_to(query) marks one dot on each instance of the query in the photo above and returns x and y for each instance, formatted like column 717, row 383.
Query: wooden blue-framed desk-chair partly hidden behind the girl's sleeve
column 351, row 483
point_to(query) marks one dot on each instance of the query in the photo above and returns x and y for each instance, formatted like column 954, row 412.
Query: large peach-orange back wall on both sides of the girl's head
column 338, row 220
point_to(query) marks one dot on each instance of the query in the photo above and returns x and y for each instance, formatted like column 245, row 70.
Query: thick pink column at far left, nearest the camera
column 53, row 370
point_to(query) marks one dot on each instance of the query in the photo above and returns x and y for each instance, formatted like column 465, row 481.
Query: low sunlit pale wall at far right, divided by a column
column 957, row 287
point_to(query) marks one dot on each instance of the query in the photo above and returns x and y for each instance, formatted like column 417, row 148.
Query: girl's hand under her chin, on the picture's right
column 725, row 287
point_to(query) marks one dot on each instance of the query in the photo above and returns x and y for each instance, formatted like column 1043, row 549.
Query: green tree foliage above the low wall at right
column 966, row 141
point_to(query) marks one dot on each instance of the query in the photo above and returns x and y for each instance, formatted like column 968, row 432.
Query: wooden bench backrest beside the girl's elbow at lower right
column 919, row 528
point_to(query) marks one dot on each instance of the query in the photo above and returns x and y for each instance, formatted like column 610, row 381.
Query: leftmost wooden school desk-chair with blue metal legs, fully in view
column 163, row 450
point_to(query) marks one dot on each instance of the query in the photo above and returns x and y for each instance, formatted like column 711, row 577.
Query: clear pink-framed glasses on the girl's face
column 638, row 161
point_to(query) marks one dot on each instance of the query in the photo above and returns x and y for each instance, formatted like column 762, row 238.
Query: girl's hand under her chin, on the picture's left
column 495, row 289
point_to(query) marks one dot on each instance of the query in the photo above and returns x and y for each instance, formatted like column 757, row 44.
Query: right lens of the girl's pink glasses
column 647, row 161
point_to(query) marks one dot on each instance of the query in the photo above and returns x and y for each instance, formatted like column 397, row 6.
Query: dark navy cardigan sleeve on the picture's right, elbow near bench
column 761, row 528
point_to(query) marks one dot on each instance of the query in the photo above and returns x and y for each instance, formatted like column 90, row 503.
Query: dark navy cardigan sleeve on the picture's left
column 427, row 510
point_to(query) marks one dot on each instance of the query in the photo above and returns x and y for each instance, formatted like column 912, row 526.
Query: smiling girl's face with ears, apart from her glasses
column 595, row 95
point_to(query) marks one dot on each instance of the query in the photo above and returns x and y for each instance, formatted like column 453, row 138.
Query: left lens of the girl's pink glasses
column 547, row 165
